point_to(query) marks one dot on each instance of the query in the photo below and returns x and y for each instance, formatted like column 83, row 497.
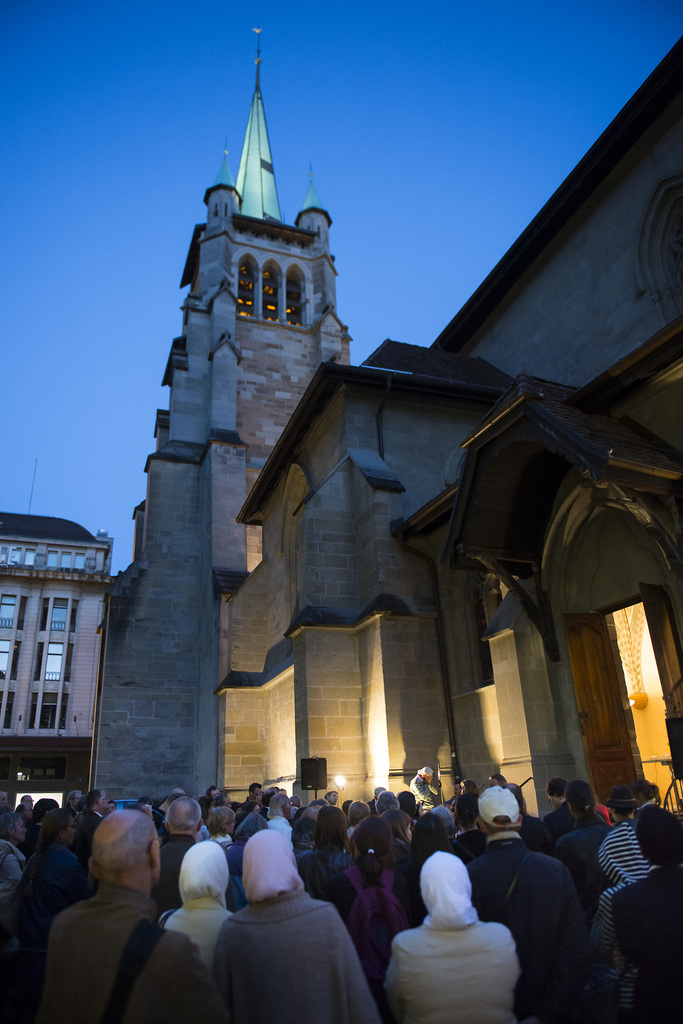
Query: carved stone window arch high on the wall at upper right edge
column 661, row 252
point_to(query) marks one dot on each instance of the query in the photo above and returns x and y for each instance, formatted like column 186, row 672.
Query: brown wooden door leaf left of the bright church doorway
column 607, row 740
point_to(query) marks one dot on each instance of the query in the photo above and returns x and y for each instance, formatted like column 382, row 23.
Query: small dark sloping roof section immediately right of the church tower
column 398, row 356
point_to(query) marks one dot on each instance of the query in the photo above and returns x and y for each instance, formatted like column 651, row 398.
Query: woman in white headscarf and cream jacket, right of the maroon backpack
column 452, row 935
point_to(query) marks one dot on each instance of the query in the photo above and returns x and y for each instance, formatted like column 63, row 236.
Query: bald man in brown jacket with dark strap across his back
column 94, row 938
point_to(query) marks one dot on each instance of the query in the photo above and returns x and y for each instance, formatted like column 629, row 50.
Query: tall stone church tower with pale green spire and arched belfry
column 260, row 318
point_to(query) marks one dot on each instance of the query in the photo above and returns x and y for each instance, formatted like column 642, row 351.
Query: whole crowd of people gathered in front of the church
column 264, row 910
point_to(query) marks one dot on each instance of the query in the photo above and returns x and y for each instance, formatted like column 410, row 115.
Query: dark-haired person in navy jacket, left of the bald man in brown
column 54, row 880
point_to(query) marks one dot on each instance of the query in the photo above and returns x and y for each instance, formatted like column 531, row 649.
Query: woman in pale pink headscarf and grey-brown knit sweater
column 284, row 928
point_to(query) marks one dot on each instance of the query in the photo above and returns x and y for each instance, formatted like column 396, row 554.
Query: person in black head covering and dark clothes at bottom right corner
column 649, row 920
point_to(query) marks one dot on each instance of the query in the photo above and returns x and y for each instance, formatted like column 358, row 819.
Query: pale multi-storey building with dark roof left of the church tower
column 54, row 578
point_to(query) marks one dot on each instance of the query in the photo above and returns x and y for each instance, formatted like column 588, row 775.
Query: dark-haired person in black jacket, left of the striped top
column 579, row 849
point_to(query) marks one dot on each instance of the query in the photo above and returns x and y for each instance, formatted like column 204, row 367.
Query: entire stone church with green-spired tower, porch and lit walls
column 469, row 554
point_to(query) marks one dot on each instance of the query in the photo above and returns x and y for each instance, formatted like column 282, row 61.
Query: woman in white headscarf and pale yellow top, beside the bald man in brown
column 204, row 879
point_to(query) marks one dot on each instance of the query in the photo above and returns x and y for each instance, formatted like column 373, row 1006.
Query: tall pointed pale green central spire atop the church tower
column 257, row 178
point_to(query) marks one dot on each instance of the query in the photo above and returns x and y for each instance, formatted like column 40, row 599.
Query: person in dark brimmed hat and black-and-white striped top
column 623, row 864
